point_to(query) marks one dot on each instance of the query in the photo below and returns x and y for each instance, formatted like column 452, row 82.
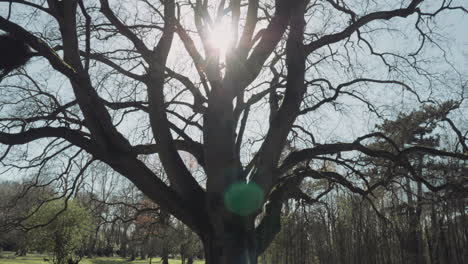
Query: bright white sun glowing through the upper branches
column 221, row 37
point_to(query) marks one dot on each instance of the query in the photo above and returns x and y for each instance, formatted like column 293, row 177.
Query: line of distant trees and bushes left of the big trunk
column 123, row 223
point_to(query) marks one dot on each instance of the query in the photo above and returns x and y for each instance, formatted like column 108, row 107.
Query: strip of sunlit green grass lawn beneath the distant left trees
column 9, row 258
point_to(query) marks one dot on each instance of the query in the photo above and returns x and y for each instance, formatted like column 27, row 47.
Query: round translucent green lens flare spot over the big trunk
column 243, row 198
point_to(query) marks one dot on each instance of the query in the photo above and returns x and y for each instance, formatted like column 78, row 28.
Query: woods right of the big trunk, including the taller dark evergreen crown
column 402, row 222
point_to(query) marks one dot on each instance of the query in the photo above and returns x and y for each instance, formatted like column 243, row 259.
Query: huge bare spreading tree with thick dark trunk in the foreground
column 130, row 80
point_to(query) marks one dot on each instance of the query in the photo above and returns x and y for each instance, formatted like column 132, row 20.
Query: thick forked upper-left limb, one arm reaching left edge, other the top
column 98, row 119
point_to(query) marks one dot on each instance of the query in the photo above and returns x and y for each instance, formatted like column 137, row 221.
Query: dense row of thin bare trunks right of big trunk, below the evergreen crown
column 346, row 229
